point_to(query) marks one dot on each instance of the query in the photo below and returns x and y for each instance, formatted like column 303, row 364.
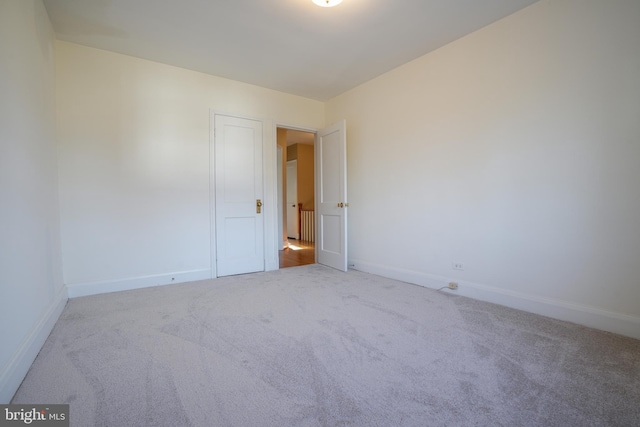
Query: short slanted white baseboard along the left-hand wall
column 13, row 374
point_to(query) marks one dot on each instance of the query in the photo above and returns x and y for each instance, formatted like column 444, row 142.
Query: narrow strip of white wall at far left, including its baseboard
column 32, row 294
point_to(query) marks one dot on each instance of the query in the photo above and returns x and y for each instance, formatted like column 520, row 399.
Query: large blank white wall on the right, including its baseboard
column 516, row 151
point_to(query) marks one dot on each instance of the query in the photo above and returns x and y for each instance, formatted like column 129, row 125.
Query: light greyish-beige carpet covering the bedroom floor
column 310, row 346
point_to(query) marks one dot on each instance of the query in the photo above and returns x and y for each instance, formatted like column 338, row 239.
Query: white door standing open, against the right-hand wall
column 331, row 181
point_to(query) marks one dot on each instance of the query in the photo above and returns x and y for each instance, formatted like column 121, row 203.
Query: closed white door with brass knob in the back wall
column 239, row 194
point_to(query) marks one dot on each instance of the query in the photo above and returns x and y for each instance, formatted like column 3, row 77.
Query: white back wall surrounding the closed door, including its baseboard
column 134, row 165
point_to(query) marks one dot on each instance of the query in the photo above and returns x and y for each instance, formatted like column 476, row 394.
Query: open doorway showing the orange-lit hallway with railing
column 297, row 208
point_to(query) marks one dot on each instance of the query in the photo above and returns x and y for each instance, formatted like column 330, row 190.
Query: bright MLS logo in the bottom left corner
column 34, row 415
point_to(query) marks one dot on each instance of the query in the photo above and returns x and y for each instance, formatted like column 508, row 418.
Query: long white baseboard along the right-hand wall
column 583, row 315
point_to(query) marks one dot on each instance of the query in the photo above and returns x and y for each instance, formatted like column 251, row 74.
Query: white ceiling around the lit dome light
column 291, row 46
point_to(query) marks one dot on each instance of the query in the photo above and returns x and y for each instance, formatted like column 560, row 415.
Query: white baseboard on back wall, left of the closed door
column 106, row 286
